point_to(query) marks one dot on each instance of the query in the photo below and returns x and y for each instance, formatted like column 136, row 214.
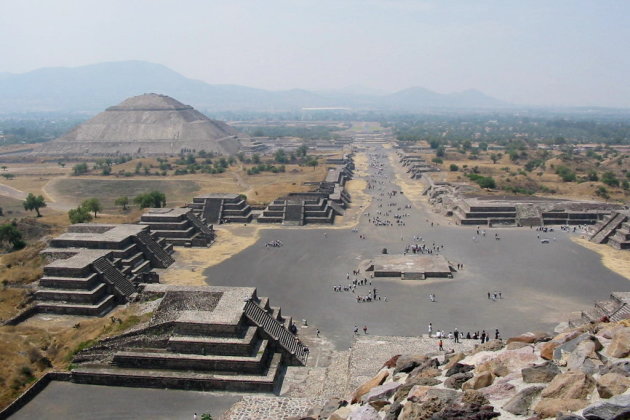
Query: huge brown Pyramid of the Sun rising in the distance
column 148, row 124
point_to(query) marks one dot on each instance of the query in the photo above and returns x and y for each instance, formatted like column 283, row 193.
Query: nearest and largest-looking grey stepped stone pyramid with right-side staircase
column 202, row 338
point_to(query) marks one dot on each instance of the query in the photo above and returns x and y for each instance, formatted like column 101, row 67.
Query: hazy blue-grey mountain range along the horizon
column 95, row 87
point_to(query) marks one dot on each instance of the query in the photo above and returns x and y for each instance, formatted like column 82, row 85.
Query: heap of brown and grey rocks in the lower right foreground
column 575, row 375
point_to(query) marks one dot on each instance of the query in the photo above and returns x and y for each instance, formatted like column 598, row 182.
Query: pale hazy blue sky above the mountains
column 549, row 52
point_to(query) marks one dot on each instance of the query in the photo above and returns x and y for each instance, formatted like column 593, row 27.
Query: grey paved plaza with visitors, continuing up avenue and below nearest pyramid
column 507, row 279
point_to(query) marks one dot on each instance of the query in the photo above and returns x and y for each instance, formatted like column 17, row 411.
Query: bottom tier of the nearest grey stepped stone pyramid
column 177, row 379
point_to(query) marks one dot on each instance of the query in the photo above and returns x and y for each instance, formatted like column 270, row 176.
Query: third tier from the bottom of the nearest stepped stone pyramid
column 236, row 346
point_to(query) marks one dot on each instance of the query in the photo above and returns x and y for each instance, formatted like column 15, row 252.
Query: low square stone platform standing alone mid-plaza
column 410, row 267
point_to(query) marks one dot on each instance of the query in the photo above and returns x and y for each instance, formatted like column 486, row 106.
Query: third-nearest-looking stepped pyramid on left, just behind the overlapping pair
column 178, row 226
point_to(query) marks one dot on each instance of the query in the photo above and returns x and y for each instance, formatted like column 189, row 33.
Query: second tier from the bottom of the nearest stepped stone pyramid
column 251, row 364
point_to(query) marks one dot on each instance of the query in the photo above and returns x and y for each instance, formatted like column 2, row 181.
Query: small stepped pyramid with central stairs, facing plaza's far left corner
column 221, row 208
